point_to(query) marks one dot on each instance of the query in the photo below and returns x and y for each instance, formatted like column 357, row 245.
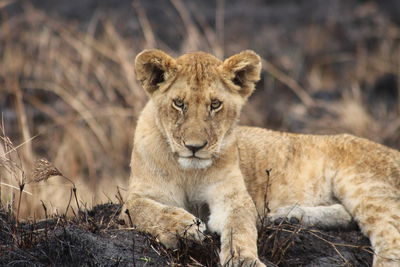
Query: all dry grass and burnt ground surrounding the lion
column 68, row 93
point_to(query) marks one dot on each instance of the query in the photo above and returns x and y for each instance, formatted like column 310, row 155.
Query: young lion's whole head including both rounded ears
column 198, row 99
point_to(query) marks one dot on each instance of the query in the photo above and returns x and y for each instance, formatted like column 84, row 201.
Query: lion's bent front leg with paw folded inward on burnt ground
column 166, row 223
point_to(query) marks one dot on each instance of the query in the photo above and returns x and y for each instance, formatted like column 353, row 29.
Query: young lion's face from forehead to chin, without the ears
column 195, row 119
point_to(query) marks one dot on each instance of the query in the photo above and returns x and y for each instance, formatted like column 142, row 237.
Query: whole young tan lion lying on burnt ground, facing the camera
column 188, row 152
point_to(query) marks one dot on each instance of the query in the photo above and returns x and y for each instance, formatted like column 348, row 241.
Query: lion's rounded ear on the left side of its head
column 152, row 68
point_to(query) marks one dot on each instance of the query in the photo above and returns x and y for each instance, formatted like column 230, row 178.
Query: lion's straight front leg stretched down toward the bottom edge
column 233, row 216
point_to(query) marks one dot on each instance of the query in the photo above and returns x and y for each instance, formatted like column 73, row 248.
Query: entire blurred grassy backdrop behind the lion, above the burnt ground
column 68, row 90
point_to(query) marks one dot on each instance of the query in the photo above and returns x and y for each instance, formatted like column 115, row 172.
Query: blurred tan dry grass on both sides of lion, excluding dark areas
column 71, row 96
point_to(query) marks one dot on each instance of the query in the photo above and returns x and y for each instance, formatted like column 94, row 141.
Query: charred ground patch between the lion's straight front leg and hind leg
column 292, row 245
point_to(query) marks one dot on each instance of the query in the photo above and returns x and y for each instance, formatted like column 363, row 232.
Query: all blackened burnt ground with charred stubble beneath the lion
column 95, row 238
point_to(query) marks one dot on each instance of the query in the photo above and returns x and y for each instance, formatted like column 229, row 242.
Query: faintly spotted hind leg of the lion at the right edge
column 374, row 203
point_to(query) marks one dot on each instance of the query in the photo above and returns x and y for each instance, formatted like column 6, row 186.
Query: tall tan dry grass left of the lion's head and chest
column 76, row 101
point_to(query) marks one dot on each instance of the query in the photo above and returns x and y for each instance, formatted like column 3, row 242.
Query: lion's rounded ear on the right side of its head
column 243, row 70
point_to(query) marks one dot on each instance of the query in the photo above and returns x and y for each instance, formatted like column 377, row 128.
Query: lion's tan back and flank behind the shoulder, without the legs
column 306, row 161
